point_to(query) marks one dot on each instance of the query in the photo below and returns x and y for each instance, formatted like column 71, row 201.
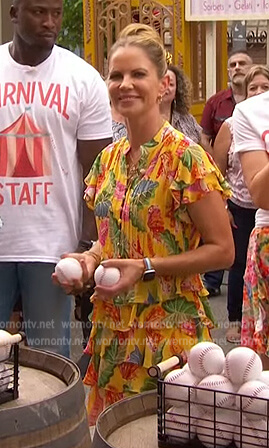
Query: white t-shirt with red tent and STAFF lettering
column 43, row 111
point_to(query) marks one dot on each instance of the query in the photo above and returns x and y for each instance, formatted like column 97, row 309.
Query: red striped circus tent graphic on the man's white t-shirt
column 24, row 150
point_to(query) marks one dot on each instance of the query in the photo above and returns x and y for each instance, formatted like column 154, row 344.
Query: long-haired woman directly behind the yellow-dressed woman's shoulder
column 176, row 103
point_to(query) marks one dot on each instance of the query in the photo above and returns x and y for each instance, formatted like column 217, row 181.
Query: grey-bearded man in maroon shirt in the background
column 217, row 109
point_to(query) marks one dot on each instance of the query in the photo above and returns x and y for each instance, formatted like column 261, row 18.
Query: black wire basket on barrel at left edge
column 9, row 376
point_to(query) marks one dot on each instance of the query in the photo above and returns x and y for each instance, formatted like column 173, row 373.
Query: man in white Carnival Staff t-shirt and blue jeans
column 54, row 119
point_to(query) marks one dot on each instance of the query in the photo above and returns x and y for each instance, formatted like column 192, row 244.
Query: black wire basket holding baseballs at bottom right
column 185, row 422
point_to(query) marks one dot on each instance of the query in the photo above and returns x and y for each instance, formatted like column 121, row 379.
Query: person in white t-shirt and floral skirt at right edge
column 251, row 132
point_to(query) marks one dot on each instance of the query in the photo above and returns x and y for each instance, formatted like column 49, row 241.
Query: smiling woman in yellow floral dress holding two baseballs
column 152, row 194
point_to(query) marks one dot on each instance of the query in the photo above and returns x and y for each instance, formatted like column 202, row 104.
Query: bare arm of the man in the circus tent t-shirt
column 87, row 153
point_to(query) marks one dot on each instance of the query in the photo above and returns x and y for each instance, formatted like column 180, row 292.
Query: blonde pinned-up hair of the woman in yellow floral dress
column 146, row 38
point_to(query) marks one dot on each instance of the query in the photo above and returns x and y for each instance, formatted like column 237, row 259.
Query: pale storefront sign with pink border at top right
column 211, row 10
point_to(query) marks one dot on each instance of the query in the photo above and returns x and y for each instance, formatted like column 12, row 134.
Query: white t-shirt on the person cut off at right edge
column 251, row 133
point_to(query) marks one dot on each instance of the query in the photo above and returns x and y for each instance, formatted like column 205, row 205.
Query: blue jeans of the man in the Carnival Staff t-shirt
column 46, row 308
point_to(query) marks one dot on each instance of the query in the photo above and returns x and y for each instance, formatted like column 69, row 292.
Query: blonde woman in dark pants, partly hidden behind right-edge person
column 240, row 205
